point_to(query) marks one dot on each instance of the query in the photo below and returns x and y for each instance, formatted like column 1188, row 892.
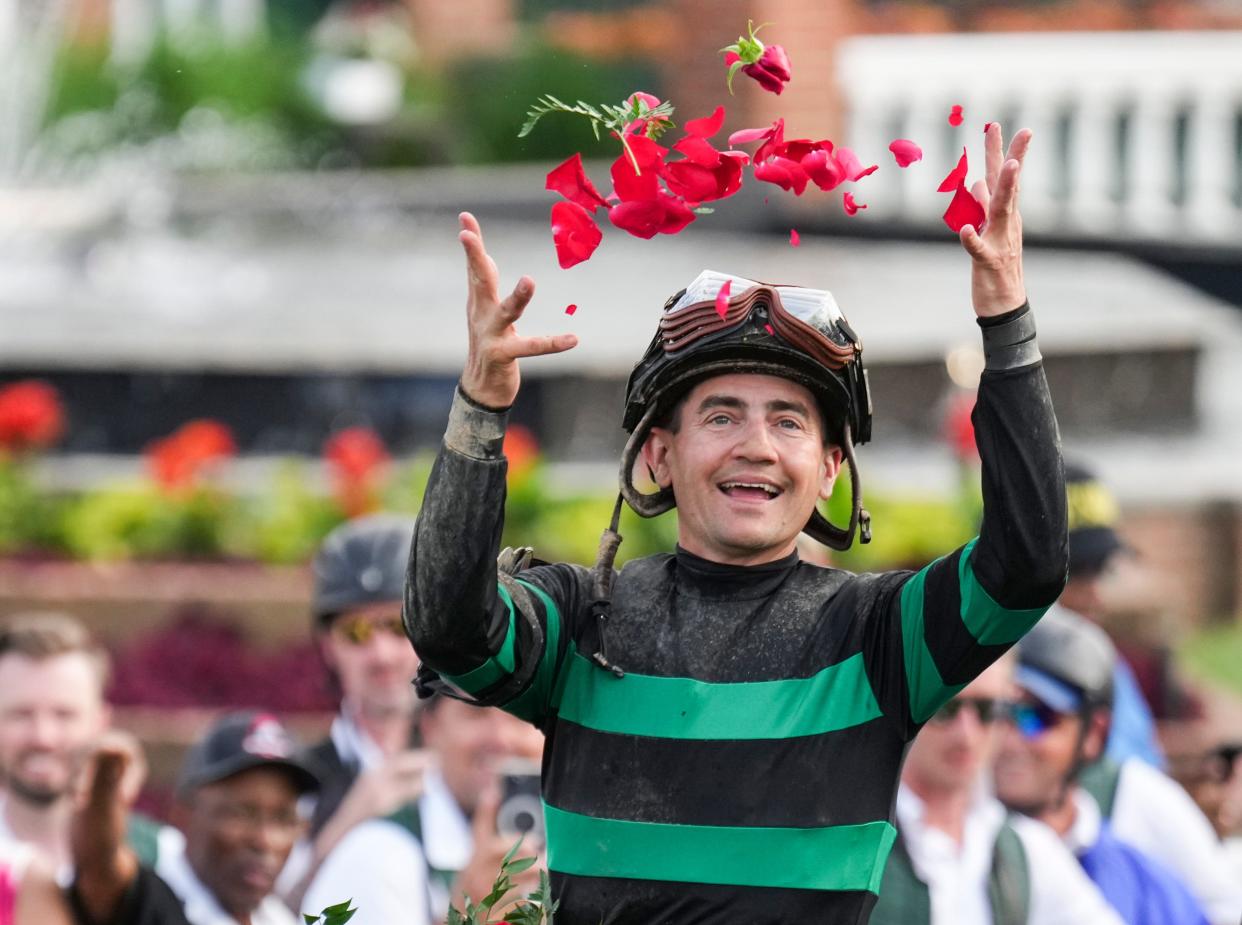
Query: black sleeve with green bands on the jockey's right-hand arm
column 953, row 619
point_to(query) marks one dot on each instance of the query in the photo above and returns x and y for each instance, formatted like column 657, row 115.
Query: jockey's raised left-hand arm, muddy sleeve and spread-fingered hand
column 484, row 636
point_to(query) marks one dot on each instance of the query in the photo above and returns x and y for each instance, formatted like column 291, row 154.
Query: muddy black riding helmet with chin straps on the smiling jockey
column 752, row 345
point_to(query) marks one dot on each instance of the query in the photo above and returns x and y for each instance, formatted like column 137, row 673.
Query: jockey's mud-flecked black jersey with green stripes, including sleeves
column 746, row 767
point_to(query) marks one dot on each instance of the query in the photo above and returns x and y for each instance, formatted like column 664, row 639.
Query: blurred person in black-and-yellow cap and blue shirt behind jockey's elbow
column 1094, row 552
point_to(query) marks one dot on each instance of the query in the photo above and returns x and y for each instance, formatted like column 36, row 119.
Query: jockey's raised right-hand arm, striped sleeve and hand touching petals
column 959, row 614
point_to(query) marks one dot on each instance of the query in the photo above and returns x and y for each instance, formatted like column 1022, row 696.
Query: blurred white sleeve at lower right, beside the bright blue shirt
column 1153, row 814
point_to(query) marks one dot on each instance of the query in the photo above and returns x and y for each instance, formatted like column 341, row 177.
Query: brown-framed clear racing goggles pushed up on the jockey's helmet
column 803, row 318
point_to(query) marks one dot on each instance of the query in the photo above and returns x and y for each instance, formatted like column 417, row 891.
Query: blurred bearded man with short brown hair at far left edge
column 53, row 676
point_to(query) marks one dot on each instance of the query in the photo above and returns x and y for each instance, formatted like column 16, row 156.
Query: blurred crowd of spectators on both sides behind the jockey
column 1040, row 794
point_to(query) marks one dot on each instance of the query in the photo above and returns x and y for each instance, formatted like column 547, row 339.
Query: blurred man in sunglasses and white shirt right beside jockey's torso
column 958, row 860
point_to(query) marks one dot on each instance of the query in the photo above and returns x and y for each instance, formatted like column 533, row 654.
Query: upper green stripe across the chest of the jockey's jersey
column 835, row 698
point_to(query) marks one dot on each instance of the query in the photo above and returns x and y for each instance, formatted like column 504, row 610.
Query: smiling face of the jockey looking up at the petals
column 748, row 462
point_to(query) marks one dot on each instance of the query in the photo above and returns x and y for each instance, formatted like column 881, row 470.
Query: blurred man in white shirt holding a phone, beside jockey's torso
column 407, row 869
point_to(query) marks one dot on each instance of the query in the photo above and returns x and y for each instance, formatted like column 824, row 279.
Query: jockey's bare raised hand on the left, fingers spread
column 491, row 377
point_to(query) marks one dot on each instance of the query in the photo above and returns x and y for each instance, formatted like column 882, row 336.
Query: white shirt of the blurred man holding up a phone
column 384, row 869
